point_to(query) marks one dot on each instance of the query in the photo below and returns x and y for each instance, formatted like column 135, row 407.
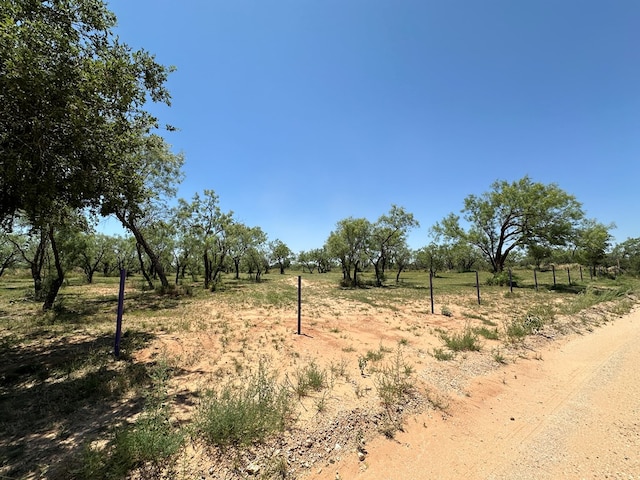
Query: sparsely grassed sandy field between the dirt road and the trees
column 60, row 362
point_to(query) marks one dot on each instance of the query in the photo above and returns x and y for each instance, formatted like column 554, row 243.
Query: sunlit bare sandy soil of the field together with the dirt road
column 564, row 404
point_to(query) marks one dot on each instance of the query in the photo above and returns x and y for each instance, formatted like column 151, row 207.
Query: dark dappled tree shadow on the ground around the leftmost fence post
column 57, row 394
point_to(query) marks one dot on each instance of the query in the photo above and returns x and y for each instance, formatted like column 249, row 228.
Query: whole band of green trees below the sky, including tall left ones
column 77, row 144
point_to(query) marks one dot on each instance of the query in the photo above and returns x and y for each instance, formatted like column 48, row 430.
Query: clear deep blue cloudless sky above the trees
column 300, row 113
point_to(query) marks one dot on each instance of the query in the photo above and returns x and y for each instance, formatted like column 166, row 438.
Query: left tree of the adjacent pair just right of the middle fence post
column 348, row 243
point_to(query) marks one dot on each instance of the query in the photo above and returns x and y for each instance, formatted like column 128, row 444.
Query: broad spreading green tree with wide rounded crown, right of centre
column 514, row 215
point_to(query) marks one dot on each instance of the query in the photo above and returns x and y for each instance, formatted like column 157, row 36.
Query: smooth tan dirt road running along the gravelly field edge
column 572, row 411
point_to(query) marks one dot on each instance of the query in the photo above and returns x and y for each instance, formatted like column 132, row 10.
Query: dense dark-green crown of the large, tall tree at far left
column 72, row 99
